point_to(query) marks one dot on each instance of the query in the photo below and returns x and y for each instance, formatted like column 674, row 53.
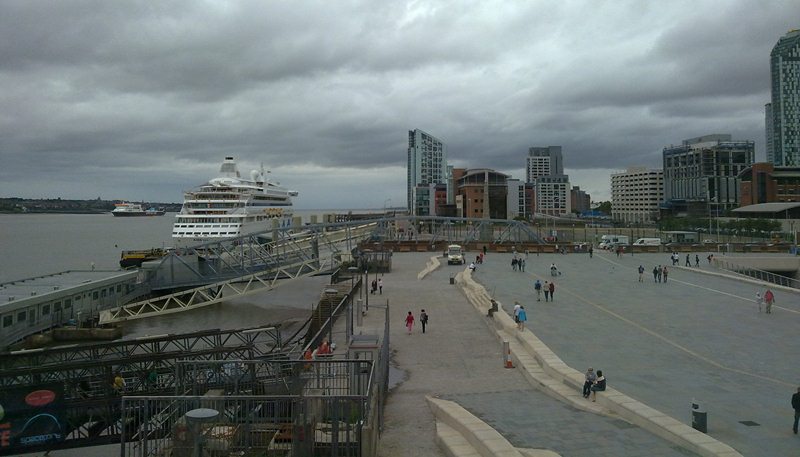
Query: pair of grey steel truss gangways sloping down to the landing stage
column 214, row 272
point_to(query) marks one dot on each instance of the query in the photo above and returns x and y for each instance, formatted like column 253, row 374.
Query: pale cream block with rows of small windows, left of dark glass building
column 636, row 195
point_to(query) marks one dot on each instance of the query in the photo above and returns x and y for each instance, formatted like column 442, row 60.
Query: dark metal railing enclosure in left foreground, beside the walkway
column 305, row 408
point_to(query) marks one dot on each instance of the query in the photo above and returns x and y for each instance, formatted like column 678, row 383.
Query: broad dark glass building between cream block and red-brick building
column 700, row 175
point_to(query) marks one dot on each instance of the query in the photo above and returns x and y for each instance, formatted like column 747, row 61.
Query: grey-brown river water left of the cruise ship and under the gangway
column 37, row 244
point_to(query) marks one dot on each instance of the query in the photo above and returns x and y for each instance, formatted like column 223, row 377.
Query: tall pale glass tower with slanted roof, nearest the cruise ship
column 427, row 166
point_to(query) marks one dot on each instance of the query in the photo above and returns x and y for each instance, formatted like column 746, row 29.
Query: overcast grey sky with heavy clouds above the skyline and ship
column 141, row 100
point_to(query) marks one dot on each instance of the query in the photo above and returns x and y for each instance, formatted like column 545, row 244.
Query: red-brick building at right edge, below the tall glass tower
column 765, row 183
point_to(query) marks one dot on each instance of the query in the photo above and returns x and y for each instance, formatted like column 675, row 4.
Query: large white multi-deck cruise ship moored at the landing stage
column 230, row 205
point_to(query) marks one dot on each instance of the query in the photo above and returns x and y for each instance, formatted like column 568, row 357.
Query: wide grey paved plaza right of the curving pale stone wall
column 697, row 336
